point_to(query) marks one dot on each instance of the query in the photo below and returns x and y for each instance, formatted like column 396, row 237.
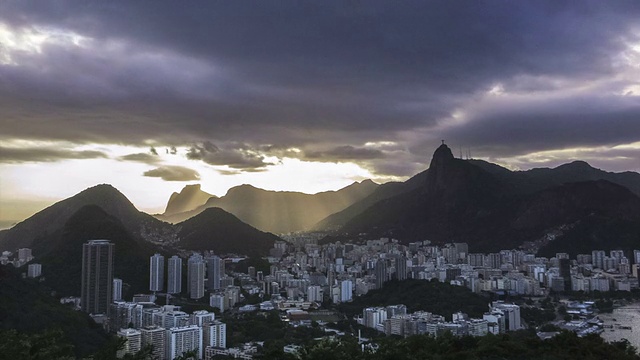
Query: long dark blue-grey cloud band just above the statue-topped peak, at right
column 544, row 125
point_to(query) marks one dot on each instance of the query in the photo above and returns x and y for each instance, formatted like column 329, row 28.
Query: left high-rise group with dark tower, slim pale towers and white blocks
column 141, row 322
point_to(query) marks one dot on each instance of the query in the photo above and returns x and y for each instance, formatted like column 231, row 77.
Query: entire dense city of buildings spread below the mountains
column 306, row 281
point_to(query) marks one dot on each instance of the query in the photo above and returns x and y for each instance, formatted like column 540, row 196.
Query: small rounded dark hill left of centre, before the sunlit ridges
column 218, row 230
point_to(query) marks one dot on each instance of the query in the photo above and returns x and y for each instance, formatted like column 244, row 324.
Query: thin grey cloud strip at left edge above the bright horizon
column 45, row 154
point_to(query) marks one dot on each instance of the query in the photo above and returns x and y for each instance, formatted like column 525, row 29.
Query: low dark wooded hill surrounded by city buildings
column 432, row 296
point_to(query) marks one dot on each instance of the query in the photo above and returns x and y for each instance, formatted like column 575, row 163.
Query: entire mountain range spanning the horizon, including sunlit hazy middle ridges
column 571, row 208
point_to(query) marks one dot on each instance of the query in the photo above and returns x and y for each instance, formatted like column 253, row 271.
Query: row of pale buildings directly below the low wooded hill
column 394, row 320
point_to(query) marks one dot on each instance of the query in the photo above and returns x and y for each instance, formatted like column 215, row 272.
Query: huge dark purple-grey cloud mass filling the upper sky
column 317, row 75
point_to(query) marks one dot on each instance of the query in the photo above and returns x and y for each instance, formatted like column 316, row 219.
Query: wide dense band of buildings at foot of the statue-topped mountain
column 338, row 272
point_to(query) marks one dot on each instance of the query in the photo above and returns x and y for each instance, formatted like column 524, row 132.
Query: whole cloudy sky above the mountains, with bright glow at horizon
column 304, row 95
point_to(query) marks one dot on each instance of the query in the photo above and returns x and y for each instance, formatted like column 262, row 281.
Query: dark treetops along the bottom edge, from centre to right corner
column 522, row 345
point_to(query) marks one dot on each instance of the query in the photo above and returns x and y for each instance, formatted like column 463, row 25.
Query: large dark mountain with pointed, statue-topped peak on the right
column 493, row 208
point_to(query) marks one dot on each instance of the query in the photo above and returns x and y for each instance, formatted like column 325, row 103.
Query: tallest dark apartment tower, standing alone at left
column 97, row 276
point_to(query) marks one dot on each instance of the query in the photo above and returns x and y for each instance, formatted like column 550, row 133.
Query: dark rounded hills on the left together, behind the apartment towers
column 56, row 235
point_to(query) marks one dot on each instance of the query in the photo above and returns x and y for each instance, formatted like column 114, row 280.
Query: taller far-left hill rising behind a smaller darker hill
column 55, row 216
